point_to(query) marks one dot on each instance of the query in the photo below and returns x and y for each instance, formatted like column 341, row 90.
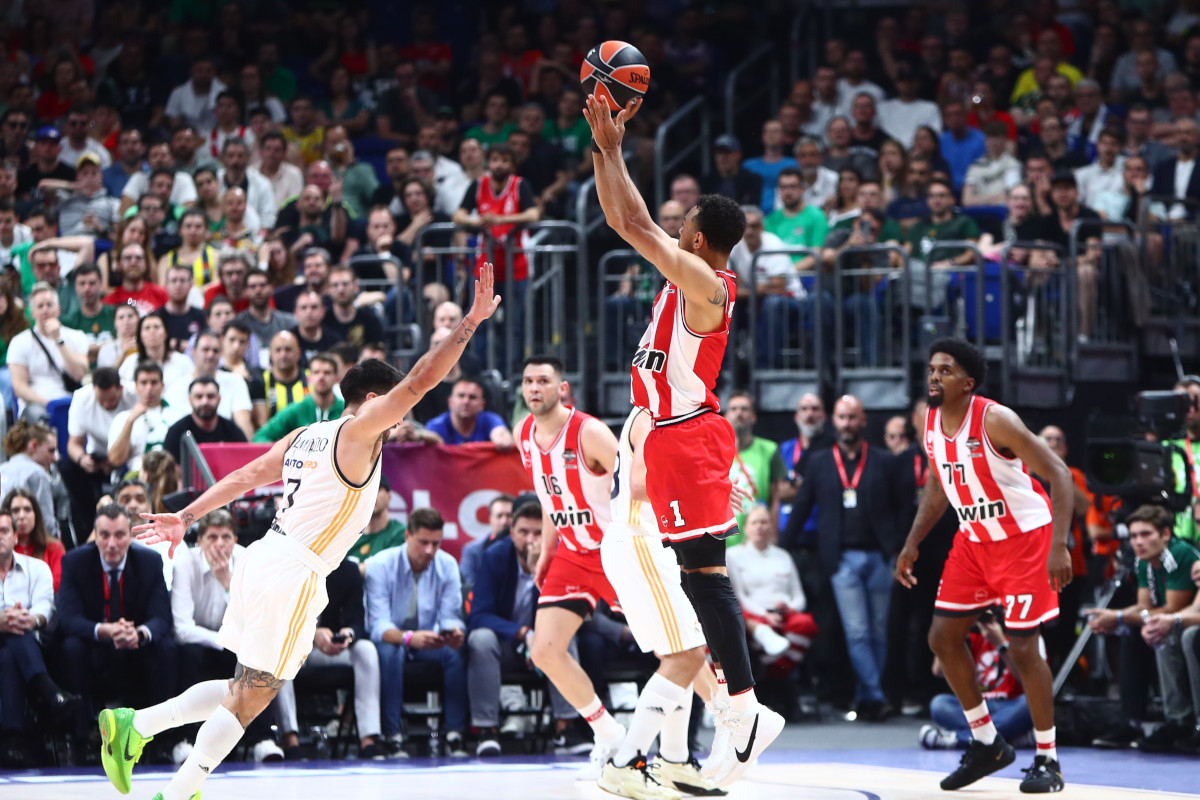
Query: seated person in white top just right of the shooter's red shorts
column 769, row 588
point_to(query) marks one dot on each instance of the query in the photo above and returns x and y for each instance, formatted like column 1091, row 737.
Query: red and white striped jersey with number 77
column 994, row 497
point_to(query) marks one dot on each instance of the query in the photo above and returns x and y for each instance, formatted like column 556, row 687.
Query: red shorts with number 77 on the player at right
column 1011, row 573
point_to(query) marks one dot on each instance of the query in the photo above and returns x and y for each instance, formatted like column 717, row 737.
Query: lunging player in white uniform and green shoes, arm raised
column 331, row 472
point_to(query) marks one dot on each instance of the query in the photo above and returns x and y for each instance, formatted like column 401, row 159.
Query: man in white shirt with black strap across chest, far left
column 46, row 362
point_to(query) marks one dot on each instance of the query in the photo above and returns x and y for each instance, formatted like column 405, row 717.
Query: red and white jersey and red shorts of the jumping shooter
column 689, row 452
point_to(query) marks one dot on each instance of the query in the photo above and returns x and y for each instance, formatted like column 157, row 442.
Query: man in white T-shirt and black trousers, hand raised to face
column 86, row 467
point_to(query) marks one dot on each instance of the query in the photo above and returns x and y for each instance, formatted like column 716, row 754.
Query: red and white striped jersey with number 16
column 575, row 498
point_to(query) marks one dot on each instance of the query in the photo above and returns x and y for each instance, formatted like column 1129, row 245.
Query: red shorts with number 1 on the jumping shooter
column 688, row 477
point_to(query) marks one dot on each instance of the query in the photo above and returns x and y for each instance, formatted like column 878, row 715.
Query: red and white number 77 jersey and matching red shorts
column 1005, row 526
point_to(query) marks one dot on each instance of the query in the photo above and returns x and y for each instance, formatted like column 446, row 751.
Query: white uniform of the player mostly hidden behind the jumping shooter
column 644, row 573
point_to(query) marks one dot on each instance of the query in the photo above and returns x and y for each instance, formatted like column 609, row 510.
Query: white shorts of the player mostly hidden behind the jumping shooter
column 646, row 578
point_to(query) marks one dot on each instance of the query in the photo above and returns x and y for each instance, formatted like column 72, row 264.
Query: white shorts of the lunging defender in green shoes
column 277, row 593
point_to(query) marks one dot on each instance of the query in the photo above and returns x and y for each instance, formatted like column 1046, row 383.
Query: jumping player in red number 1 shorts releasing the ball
column 689, row 452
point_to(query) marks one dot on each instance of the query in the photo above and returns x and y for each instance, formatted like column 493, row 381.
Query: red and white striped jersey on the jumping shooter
column 675, row 369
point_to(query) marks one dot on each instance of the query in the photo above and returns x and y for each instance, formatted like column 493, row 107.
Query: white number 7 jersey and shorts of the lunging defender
column 279, row 587
